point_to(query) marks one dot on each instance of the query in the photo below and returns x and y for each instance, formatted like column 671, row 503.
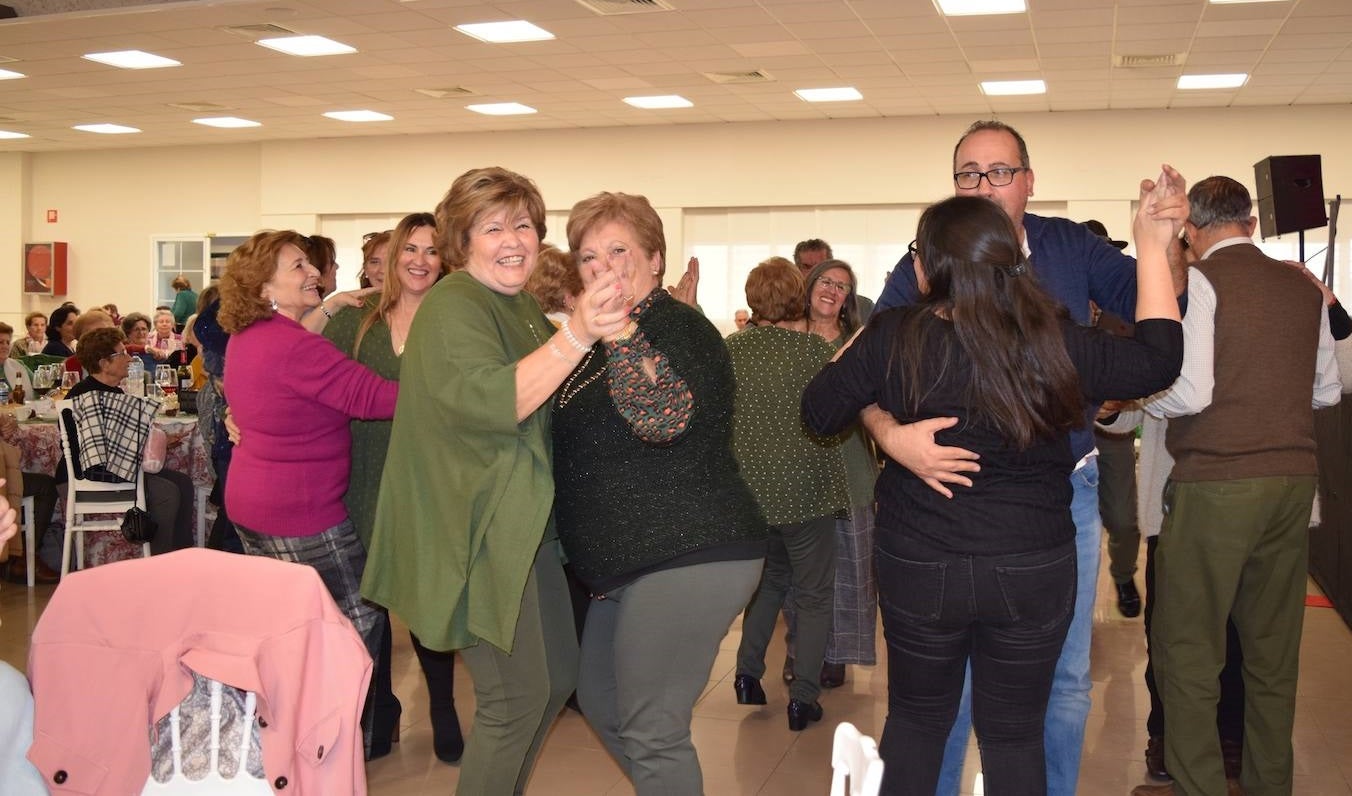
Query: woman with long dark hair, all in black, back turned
column 989, row 575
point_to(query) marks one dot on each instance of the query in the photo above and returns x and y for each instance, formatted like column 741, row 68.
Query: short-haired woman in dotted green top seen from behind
column 798, row 479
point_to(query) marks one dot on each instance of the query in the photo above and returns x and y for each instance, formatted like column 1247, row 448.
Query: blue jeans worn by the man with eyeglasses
column 1070, row 705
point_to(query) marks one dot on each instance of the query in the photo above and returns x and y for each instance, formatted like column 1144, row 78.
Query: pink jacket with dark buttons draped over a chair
column 112, row 656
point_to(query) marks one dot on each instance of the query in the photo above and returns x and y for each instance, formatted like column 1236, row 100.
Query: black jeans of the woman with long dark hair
column 1009, row 616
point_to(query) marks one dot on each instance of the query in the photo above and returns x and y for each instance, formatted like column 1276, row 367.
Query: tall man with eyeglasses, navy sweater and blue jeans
column 1076, row 267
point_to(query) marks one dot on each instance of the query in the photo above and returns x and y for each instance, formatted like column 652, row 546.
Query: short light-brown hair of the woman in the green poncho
column 475, row 193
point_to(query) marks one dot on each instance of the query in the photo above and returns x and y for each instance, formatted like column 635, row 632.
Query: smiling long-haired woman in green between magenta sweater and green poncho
column 375, row 337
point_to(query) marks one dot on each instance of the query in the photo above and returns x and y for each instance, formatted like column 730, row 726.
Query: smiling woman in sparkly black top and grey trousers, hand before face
column 654, row 516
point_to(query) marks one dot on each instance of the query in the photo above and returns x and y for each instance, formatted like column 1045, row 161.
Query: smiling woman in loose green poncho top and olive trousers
column 464, row 548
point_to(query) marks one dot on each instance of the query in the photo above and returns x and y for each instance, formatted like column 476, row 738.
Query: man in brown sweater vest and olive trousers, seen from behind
column 1258, row 356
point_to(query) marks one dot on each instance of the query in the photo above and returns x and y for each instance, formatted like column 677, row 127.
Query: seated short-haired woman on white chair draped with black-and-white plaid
column 170, row 494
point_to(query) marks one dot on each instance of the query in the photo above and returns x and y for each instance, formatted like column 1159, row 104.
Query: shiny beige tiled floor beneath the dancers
column 751, row 751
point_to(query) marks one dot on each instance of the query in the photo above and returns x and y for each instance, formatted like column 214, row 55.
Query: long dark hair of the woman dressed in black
column 1008, row 328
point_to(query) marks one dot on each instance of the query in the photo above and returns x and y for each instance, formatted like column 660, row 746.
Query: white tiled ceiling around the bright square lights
column 902, row 55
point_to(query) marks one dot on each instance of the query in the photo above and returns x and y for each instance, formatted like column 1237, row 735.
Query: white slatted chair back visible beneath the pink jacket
column 202, row 709
